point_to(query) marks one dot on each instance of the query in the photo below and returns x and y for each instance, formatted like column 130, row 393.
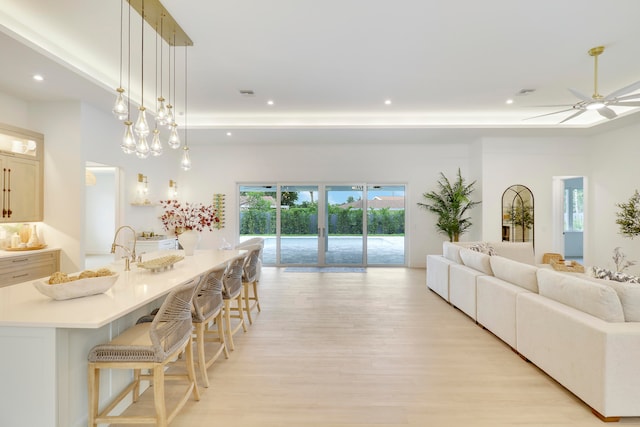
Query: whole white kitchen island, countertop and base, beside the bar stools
column 44, row 343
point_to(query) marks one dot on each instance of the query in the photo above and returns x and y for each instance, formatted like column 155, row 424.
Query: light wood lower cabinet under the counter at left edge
column 25, row 266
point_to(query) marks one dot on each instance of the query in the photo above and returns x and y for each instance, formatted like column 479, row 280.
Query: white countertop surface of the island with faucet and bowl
column 23, row 305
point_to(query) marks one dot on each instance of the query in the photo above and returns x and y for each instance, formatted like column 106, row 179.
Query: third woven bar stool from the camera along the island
column 232, row 297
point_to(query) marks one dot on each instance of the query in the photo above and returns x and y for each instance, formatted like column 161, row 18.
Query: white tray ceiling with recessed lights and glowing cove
column 333, row 63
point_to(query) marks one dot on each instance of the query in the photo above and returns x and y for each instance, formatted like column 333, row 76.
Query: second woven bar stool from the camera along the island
column 208, row 304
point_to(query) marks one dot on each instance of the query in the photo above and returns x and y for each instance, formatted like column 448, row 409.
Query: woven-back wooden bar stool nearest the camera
column 150, row 346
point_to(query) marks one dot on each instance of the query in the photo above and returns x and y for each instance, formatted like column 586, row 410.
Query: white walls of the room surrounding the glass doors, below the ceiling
column 76, row 133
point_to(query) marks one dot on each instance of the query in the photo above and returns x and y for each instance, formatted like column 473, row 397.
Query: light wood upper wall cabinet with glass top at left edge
column 21, row 179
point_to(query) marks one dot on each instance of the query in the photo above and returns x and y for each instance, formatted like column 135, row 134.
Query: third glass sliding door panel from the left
column 343, row 235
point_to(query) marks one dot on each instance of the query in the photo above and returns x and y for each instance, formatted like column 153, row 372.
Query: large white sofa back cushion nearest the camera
column 590, row 297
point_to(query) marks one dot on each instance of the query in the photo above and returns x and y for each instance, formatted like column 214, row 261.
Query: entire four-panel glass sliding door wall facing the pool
column 316, row 224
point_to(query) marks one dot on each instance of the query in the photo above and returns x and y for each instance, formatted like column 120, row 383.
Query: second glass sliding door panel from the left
column 298, row 236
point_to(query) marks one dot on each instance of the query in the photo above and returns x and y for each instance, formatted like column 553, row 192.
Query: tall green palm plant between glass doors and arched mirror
column 450, row 203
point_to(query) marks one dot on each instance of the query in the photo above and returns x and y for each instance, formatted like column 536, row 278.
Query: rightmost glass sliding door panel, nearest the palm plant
column 385, row 224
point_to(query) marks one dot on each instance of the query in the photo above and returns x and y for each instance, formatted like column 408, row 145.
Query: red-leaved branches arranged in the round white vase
column 190, row 216
